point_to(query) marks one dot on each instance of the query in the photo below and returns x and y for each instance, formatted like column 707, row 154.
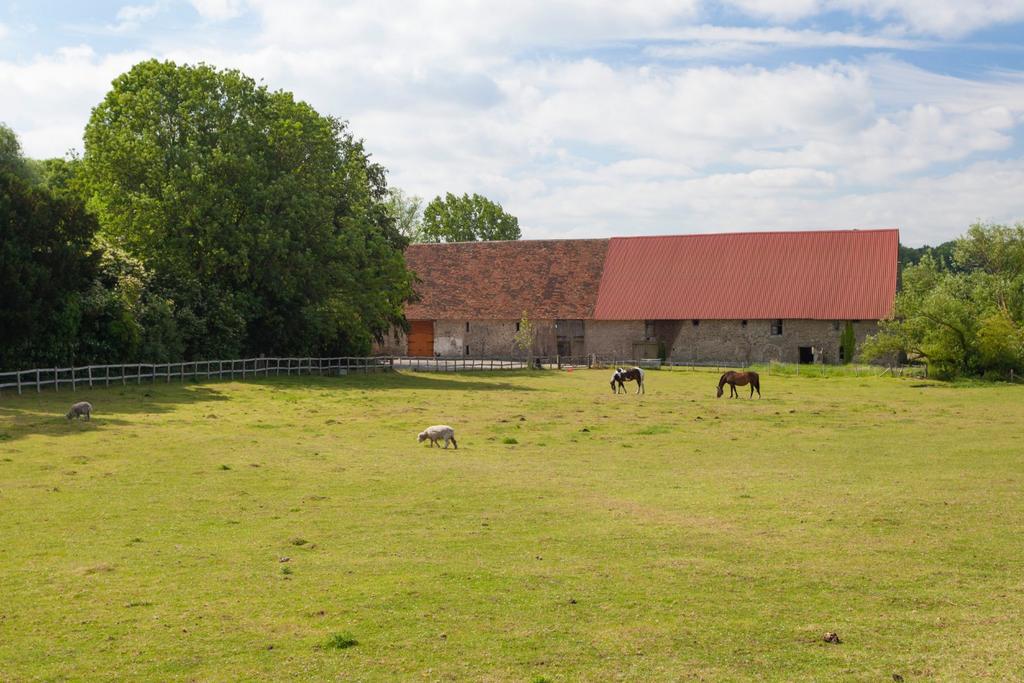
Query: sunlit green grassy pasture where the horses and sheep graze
column 574, row 536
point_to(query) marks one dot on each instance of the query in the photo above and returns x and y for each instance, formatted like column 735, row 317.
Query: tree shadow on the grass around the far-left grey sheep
column 45, row 413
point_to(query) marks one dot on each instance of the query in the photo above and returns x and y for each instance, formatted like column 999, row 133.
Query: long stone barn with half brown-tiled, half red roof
column 745, row 297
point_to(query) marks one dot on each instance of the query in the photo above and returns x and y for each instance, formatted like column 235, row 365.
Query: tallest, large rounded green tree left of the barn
column 264, row 222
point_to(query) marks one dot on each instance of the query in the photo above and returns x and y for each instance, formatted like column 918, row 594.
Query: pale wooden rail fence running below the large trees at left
column 136, row 373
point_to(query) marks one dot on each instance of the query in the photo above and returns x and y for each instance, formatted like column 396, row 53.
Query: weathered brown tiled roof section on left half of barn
column 498, row 281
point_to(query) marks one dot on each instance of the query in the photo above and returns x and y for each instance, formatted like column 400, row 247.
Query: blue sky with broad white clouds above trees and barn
column 598, row 118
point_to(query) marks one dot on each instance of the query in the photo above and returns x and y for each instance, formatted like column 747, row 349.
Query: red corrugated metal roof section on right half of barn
column 823, row 275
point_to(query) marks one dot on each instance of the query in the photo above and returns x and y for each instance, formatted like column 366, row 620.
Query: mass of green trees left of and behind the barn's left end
column 207, row 218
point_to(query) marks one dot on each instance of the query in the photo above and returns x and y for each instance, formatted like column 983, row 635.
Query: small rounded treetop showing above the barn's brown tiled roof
column 467, row 219
